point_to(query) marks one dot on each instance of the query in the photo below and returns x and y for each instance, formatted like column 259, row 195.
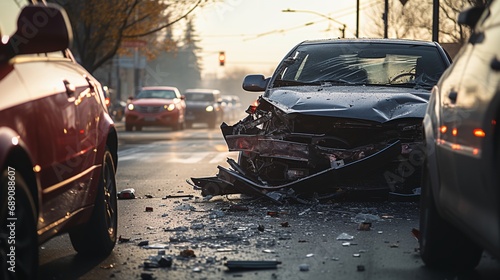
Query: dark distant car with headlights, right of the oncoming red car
column 203, row 106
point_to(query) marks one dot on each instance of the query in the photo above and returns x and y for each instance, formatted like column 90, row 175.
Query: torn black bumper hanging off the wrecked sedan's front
column 234, row 181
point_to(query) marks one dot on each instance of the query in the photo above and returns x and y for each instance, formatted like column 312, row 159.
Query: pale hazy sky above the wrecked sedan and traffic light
column 256, row 34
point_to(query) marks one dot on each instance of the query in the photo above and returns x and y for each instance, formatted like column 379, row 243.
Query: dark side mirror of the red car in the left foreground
column 41, row 28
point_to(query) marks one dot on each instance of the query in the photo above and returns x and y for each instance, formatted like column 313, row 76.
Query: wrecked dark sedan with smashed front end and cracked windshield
column 336, row 114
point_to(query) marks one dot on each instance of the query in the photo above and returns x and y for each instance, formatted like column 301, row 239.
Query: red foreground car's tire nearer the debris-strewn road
column 97, row 237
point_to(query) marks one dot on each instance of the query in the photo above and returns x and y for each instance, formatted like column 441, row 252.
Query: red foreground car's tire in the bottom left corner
column 25, row 231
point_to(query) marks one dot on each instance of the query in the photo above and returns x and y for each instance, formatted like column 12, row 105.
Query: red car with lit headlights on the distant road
column 156, row 106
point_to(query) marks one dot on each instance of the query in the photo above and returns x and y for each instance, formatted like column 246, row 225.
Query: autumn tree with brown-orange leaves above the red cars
column 100, row 27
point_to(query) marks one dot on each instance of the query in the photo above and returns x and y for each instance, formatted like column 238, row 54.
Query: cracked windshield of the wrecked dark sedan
column 362, row 63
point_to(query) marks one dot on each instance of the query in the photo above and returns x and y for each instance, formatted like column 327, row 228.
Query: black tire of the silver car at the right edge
column 442, row 246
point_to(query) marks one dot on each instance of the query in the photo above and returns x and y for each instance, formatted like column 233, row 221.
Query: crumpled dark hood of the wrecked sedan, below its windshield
column 379, row 104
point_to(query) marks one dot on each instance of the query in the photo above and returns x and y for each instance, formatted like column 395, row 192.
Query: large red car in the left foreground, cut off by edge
column 58, row 145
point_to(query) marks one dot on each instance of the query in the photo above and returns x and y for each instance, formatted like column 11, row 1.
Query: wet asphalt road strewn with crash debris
column 201, row 236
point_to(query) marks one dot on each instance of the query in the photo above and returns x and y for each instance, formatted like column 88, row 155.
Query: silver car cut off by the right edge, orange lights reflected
column 461, row 192
